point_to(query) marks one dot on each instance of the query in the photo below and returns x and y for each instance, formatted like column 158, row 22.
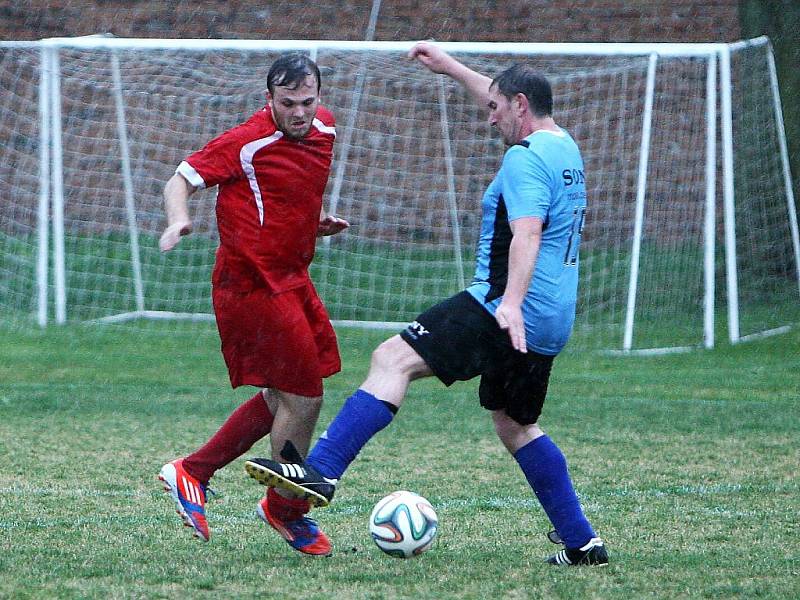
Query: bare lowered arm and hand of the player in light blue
column 523, row 251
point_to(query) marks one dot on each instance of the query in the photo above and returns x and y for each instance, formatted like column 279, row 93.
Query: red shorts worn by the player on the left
column 283, row 341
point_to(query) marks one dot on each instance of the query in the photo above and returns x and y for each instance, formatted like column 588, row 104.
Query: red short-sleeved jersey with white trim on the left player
column 269, row 199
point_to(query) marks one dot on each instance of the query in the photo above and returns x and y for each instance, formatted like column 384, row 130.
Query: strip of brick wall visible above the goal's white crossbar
column 454, row 20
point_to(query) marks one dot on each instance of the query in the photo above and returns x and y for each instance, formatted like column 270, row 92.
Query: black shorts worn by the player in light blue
column 459, row 339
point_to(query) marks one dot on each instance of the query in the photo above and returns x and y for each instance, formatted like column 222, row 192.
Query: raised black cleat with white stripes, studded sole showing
column 294, row 476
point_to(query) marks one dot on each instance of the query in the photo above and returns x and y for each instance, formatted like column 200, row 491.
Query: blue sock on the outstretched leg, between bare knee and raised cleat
column 361, row 417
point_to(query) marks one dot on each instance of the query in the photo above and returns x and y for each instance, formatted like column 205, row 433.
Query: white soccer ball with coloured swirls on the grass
column 403, row 524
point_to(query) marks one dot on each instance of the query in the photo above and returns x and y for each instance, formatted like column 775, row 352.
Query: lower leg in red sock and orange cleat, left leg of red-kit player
column 186, row 479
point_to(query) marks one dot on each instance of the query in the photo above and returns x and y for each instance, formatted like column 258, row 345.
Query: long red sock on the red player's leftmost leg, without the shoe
column 246, row 425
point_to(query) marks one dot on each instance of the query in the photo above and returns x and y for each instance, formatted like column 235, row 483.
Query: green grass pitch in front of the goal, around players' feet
column 686, row 464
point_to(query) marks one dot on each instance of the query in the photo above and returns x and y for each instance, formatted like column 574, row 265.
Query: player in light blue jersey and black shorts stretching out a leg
column 507, row 326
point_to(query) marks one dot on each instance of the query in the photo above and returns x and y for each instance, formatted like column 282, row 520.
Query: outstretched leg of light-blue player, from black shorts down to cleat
column 446, row 340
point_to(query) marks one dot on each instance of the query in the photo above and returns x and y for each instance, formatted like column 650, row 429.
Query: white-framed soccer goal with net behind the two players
column 91, row 128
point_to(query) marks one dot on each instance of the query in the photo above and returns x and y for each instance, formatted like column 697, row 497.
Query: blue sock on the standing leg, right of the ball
column 545, row 469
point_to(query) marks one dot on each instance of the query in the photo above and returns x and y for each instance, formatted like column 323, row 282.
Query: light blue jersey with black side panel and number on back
column 543, row 177
